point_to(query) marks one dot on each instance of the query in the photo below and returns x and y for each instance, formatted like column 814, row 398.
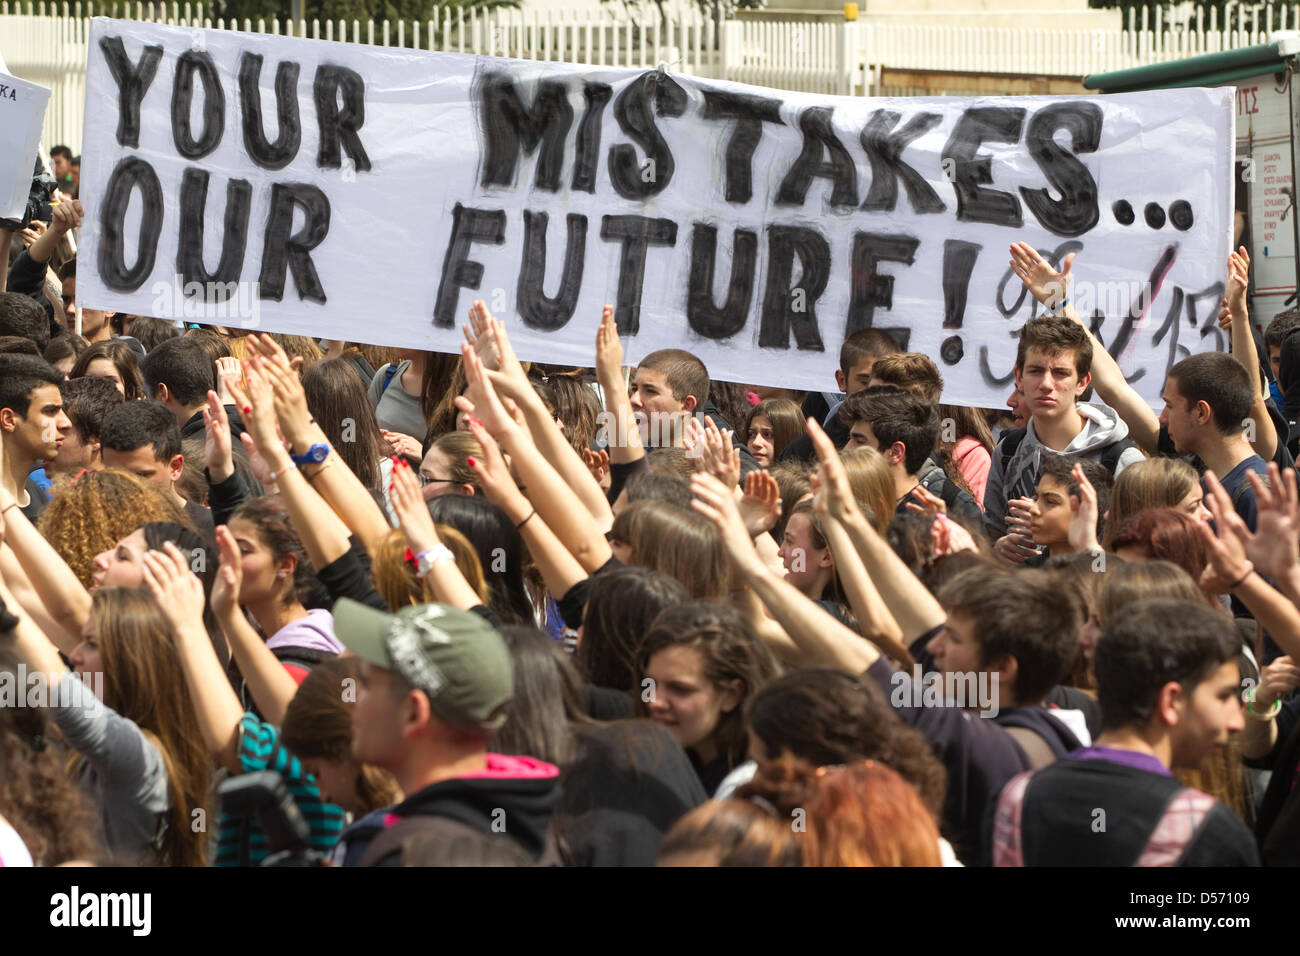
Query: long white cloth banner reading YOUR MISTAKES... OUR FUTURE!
column 372, row 194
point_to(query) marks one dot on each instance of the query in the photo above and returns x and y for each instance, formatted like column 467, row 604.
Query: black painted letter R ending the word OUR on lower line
column 280, row 250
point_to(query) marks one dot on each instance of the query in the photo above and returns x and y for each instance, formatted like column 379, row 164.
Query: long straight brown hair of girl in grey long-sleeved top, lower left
column 145, row 684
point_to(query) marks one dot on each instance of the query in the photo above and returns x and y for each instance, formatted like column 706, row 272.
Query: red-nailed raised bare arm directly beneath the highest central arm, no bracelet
column 551, row 494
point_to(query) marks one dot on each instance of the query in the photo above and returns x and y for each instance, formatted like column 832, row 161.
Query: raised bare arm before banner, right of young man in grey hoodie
column 1052, row 289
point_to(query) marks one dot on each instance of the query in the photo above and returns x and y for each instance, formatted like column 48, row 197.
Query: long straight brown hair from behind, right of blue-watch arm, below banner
column 340, row 405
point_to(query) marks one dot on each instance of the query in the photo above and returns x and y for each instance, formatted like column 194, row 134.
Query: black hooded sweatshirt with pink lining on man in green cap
column 514, row 797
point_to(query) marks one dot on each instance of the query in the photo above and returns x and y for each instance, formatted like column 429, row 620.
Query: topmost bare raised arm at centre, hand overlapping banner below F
column 491, row 345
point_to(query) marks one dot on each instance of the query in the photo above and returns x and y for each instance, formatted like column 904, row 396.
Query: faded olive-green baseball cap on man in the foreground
column 454, row 656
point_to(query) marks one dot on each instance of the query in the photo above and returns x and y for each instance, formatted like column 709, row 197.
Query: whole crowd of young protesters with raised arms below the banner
column 458, row 609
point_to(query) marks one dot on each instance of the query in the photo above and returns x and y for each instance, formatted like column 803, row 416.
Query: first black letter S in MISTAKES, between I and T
column 631, row 179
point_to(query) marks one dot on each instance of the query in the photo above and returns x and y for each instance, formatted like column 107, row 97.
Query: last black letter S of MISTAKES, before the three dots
column 1077, row 211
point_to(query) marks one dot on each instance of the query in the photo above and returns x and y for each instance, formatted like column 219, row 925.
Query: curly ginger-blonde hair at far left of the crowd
column 98, row 509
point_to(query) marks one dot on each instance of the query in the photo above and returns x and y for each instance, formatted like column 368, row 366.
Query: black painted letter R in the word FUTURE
column 788, row 306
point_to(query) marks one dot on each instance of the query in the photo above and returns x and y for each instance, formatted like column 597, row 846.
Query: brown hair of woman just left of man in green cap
column 319, row 726
